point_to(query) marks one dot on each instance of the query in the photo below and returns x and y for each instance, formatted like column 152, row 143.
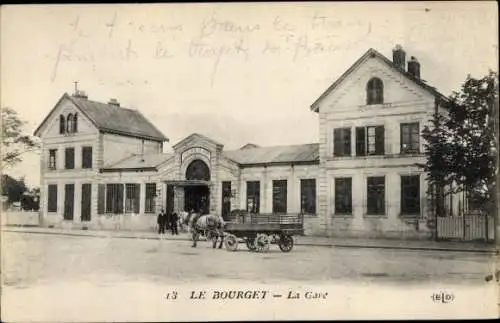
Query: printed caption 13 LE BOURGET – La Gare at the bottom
column 248, row 294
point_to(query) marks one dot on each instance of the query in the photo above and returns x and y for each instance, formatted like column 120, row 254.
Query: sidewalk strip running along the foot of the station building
column 299, row 240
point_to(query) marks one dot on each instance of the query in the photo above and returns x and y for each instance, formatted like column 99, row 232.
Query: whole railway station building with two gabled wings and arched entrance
column 103, row 163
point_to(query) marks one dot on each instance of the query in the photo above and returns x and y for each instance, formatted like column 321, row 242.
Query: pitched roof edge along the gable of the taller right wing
column 369, row 54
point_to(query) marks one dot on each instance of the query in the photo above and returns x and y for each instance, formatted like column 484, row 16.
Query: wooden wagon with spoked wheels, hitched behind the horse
column 259, row 231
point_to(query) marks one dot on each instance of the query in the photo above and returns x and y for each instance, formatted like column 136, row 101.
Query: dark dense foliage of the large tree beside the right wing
column 461, row 144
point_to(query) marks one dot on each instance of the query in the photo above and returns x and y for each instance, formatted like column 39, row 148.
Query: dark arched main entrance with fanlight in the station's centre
column 197, row 194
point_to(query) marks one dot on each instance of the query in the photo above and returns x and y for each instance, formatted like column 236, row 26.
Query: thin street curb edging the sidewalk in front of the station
column 308, row 244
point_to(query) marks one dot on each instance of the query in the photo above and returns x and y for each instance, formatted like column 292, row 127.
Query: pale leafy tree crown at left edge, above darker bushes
column 14, row 141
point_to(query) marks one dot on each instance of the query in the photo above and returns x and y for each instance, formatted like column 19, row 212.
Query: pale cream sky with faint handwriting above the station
column 237, row 73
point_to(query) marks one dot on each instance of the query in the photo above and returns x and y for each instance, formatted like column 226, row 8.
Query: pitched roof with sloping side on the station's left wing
column 113, row 119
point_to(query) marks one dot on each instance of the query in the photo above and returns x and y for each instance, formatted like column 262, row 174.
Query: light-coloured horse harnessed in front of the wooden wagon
column 209, row 225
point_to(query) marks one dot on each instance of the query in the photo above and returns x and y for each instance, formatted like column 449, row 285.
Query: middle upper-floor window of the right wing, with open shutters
column 370, row 141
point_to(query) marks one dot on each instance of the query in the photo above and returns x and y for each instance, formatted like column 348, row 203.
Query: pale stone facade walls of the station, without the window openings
column 344, row 105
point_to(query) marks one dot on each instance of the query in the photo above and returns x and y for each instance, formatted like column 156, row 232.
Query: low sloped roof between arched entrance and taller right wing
column 277, row 154
